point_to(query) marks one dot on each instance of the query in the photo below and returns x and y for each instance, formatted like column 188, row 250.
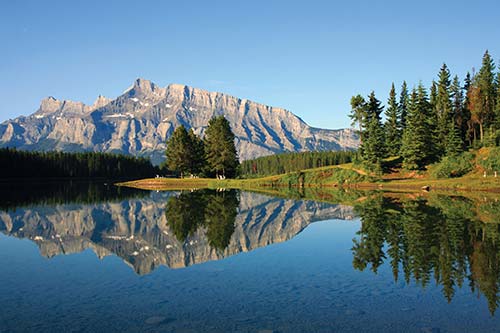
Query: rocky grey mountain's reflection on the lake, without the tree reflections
column 138, row 230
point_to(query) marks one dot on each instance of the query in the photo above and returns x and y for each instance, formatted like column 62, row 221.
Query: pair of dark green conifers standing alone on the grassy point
column 215, row 155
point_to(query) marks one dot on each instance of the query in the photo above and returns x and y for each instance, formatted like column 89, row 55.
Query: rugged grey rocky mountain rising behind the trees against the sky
column 139, row 121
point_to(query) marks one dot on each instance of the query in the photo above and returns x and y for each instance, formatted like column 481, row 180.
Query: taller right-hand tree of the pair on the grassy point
column 220, row 151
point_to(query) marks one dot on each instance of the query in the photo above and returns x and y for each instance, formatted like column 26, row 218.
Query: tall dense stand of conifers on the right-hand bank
column 425, row 125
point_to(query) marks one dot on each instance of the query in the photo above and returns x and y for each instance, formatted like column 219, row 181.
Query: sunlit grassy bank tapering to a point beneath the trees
column 347, row 176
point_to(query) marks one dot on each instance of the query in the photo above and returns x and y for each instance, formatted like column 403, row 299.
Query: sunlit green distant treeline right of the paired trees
column 289, row 162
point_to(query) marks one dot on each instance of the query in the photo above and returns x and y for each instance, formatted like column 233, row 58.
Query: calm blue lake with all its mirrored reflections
column 96, row 258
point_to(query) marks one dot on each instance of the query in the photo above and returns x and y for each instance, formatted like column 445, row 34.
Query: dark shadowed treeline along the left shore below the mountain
column 27, row 164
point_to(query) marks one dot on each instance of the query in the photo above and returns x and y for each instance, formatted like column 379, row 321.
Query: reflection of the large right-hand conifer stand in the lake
column 440, row 237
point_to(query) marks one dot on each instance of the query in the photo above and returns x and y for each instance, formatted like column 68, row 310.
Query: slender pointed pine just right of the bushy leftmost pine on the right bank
column 392, row 124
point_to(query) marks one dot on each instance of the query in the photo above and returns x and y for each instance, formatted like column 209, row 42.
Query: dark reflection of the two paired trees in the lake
column 216, row 211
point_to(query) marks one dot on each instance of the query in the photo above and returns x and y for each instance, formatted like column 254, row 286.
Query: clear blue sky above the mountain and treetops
column 309, row 57
